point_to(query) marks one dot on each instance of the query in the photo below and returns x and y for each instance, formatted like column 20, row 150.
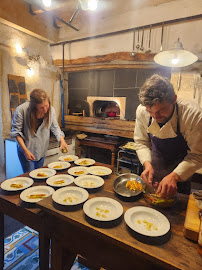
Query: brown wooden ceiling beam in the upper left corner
column 15, row 13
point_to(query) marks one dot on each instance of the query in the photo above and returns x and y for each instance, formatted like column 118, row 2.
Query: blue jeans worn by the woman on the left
column 27, row 165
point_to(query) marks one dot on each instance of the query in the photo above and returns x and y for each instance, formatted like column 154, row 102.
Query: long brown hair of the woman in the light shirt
column 37, row 96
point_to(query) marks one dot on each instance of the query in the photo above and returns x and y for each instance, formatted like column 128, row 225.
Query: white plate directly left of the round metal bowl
column 89, row 181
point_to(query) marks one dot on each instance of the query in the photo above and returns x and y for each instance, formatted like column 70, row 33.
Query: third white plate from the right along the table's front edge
column 70, row 195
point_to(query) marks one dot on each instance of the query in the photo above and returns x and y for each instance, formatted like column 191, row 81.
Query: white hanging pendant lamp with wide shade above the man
column 176, row 57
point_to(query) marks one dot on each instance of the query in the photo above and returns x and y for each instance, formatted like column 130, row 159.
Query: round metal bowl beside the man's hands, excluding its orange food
column 120, row 185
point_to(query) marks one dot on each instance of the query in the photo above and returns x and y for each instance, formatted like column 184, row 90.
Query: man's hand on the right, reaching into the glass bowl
column 168, row 185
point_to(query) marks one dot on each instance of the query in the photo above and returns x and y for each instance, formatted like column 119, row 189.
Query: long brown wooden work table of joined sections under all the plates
column 110, row 245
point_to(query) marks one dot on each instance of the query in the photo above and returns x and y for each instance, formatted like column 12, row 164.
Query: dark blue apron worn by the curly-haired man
column 167, row 154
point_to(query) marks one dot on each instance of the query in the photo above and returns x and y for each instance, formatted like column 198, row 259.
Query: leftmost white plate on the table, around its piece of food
column 25, row 181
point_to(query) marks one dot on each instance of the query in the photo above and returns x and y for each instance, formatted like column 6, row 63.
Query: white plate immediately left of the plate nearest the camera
column 103, row 209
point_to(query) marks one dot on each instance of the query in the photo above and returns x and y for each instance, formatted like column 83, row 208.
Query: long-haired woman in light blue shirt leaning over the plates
column 31, row 126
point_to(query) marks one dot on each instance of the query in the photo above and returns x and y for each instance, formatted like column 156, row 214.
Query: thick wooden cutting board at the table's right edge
column 192, row 222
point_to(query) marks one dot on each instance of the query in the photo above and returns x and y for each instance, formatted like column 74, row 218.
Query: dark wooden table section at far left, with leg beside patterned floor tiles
column 27, row 214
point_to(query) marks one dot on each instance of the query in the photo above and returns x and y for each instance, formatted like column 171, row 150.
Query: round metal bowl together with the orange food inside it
column 128, row 185
